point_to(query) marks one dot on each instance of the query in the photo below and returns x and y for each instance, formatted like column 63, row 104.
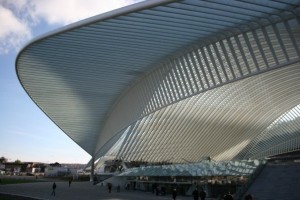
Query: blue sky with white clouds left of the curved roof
column 26, row 133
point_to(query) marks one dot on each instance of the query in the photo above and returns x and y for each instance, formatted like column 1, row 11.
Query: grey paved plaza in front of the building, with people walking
column 78, row 191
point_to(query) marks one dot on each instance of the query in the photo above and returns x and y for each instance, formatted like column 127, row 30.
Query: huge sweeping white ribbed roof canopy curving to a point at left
column 173, row 81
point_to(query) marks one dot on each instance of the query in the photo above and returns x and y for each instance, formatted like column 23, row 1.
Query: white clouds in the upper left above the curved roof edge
column 19, row 17
